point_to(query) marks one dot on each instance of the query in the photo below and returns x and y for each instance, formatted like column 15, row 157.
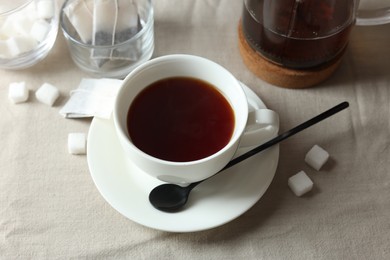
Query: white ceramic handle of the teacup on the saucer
column 262, row 125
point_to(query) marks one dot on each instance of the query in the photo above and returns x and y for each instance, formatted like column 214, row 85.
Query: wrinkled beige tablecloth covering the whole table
column 51, row 209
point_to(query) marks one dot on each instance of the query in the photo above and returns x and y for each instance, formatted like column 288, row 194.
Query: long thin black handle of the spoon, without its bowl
column 288, row 133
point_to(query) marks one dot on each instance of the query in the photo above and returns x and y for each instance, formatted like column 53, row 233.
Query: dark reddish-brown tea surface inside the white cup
column 180, row 119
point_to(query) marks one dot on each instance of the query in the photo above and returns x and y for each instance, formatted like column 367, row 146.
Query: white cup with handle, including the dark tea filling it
column 181, row 118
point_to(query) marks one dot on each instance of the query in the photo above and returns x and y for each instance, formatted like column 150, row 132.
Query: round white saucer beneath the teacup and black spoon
column 213, row 203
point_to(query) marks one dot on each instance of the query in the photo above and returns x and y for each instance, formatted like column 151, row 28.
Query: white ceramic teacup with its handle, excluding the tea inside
column 249, row 128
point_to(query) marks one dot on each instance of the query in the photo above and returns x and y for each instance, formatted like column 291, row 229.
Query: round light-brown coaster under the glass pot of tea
column 281, row 76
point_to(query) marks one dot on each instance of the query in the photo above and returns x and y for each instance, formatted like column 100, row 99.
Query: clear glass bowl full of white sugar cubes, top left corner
column 28, row 29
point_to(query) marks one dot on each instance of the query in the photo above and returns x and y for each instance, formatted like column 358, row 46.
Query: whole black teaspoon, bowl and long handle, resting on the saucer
column 171, row 197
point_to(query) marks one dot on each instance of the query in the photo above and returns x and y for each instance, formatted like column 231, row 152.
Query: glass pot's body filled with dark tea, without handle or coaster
column 298, row 34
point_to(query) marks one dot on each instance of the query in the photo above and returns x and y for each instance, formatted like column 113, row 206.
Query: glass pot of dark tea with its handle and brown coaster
column 299, row 43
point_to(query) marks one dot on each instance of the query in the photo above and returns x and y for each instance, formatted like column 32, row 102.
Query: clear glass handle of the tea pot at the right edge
column 373, row 17
